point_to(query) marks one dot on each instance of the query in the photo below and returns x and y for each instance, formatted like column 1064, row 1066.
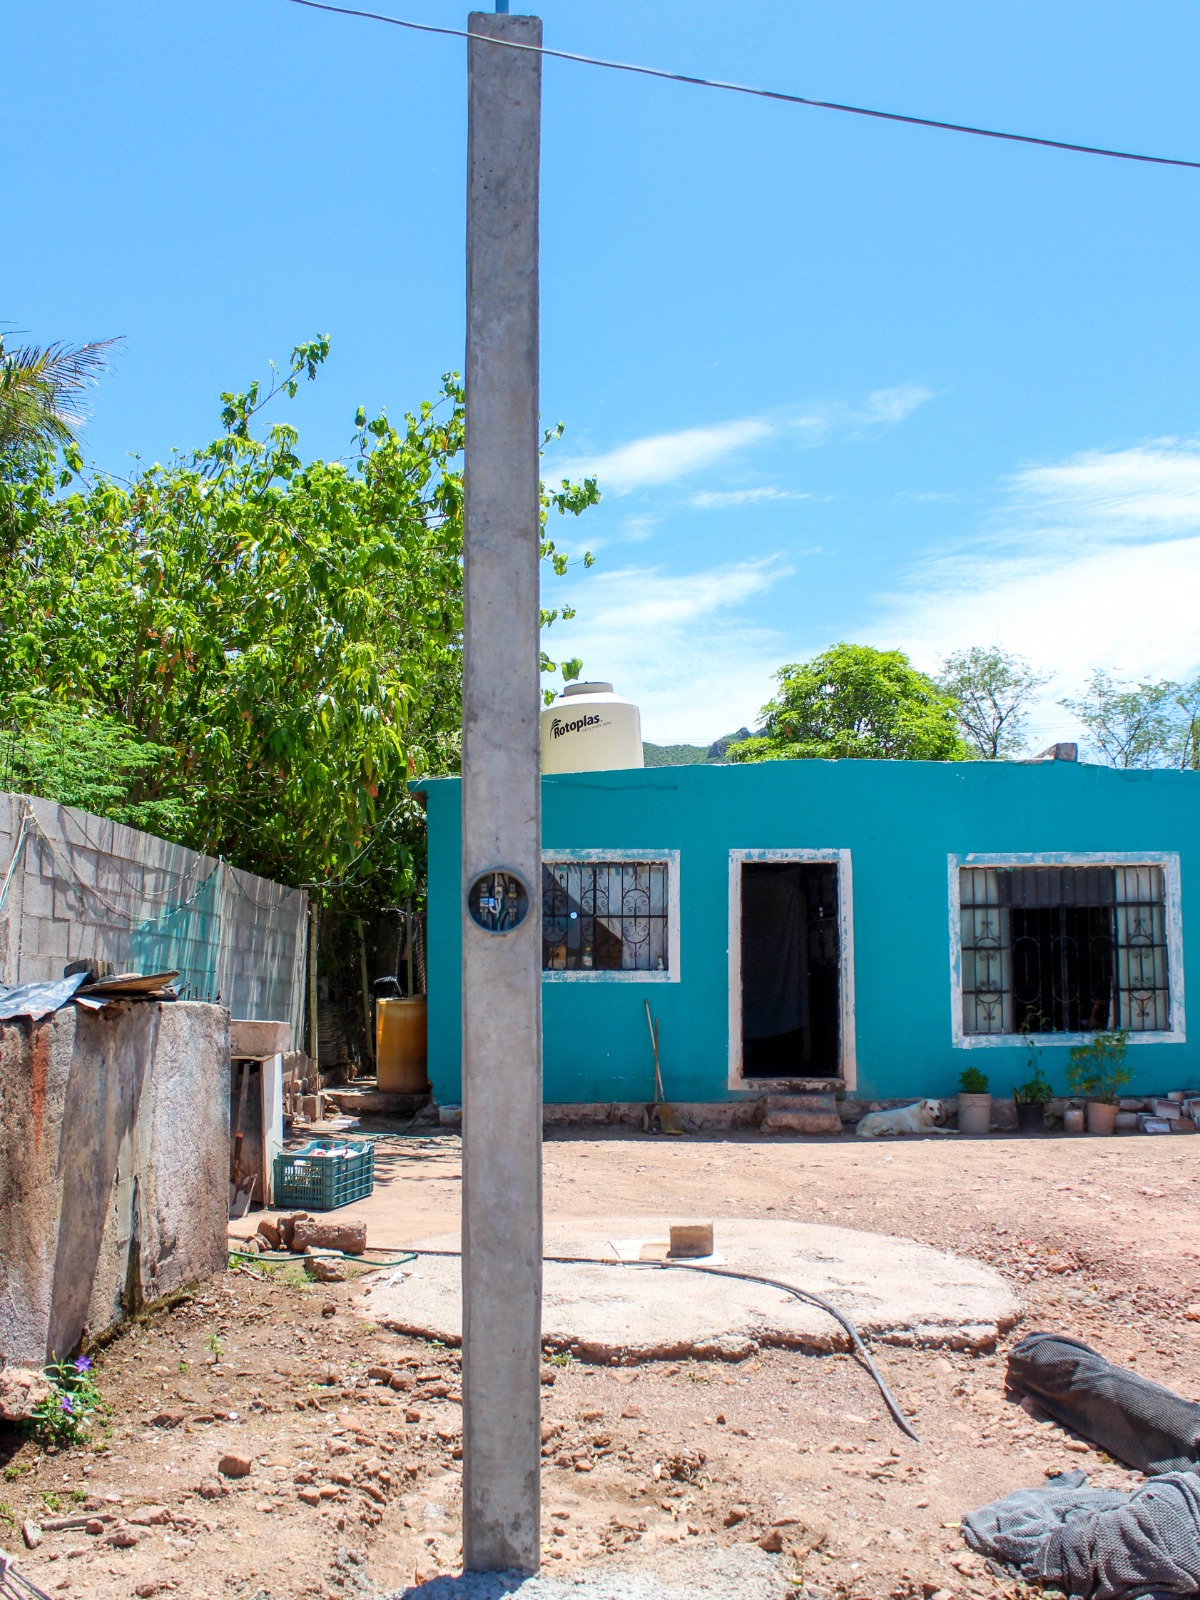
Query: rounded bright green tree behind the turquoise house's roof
column 855, row 702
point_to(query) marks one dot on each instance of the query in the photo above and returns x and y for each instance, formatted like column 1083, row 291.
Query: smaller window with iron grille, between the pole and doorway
column 606, row 916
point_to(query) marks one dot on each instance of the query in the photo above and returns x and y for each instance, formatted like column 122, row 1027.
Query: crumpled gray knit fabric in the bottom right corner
column 1100, row 1545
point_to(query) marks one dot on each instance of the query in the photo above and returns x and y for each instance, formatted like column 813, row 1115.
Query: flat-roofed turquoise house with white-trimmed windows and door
column 873, row 926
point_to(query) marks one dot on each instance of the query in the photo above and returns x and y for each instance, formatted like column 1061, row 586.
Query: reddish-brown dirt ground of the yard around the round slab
column 354, row 1482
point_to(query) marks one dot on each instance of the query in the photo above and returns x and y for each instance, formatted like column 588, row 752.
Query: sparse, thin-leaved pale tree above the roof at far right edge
column 1146, row 724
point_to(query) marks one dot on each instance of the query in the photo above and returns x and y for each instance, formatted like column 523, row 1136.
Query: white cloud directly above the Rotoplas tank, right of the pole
column 682, row 647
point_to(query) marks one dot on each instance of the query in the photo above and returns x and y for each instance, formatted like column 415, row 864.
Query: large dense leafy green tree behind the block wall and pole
column 289, row 631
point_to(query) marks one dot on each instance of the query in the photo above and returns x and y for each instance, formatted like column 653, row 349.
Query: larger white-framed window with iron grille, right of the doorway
column 1065, row 950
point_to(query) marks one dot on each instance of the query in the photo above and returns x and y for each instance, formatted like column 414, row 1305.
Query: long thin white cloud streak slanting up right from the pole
column 666, row 458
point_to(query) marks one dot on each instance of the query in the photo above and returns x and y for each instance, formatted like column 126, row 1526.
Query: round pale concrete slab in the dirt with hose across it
column 894, row 1290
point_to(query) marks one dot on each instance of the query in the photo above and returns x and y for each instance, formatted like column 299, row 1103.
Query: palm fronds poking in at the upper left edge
column 42, row 393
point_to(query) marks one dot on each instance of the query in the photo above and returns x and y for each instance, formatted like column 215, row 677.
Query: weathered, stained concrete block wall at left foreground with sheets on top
column 114, row 1167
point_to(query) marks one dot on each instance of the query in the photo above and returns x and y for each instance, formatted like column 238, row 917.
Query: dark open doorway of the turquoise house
column 791, row 970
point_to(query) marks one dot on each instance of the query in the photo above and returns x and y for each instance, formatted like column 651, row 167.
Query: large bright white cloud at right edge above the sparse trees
column 1095, row 562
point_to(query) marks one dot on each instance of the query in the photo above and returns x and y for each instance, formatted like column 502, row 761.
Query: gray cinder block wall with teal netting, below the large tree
column 90, row 889
